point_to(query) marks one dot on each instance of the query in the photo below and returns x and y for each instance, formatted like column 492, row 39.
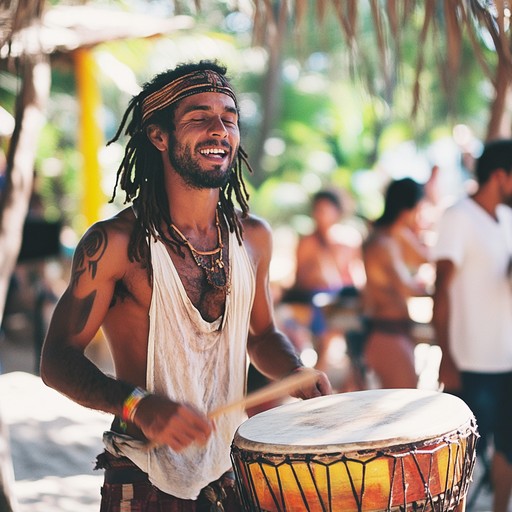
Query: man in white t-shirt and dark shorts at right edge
column 473, row 307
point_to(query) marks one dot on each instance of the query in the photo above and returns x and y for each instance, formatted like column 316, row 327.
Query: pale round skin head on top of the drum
column 360, row 420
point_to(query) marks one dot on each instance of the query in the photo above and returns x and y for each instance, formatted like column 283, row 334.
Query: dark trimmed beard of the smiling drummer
column 191, row 171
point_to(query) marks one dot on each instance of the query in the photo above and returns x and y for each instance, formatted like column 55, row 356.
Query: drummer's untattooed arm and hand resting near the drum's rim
column 270, row 351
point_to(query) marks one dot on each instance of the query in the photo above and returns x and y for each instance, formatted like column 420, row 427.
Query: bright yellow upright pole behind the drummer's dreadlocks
column 90, row 134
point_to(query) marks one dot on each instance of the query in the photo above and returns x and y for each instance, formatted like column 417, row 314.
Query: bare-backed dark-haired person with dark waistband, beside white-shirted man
column 392, row 253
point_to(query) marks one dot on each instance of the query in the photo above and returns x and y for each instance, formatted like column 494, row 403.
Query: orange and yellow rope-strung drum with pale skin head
column 402, row 449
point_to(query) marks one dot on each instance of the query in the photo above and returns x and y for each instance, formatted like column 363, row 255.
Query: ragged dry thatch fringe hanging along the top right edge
column 448, row 21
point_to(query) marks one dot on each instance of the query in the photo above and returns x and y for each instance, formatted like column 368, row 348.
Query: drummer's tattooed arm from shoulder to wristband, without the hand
column 77, row 317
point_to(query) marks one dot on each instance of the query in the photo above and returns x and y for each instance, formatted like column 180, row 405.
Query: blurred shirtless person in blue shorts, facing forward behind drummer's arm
column 328, row 261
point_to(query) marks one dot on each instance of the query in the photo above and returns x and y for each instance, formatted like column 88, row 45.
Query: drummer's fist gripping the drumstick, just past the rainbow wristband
column 176, row 425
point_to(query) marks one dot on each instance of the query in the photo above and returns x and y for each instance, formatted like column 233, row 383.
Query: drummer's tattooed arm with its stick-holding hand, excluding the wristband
column 101, row 259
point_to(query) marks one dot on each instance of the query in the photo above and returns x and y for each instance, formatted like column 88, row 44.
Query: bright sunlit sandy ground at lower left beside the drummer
column 54, row 443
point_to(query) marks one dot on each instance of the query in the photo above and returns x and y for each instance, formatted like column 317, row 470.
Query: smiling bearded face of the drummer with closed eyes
column 206, row 138
